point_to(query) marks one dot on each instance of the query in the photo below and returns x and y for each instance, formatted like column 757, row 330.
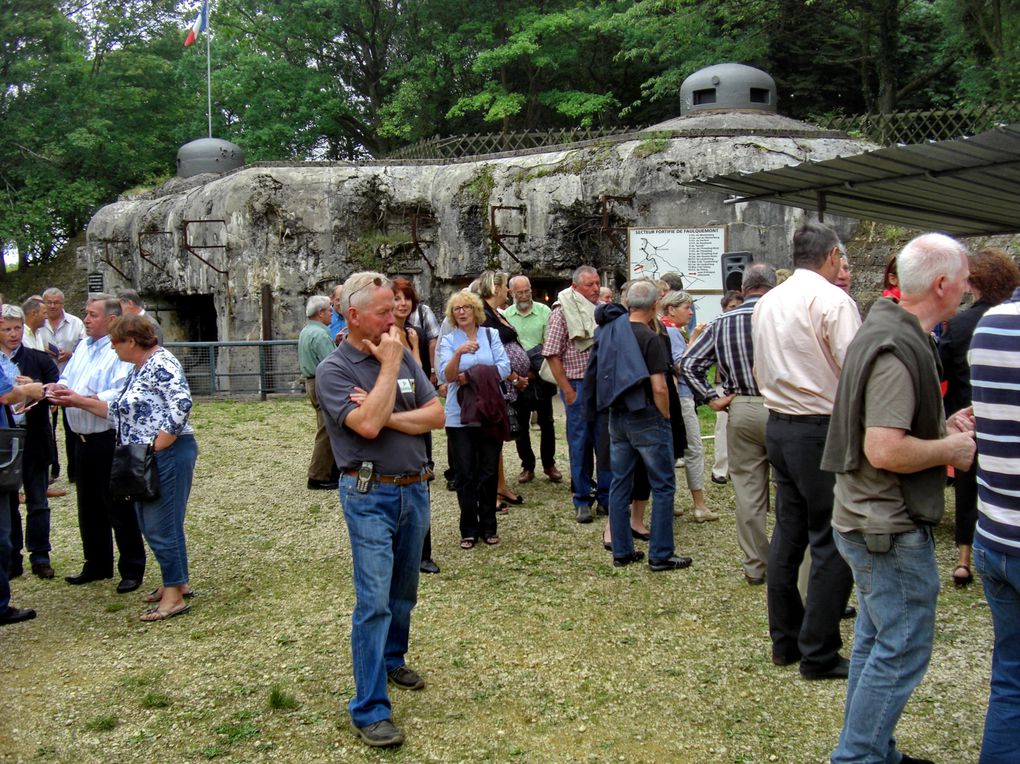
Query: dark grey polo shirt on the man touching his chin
column 391, row 452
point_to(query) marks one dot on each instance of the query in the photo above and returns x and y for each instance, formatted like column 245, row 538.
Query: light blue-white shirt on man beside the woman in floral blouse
column 94, row 370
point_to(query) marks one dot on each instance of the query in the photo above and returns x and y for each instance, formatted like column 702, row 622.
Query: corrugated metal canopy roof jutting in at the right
column 964, row 187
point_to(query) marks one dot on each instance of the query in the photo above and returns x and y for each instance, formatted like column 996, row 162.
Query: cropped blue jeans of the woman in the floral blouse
column 163, row 521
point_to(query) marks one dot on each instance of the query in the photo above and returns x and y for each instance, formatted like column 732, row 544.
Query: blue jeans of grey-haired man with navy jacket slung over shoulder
column 644, row 436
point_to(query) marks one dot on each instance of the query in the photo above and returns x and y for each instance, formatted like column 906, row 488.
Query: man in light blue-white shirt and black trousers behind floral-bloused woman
column 96, row 371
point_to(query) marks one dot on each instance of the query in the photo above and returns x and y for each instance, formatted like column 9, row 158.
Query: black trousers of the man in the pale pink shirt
column 809, row 631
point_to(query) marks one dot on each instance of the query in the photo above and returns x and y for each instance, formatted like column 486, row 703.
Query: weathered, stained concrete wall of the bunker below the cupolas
column 300, row 229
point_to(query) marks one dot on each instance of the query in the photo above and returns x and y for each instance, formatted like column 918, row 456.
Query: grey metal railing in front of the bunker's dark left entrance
column 241, row 369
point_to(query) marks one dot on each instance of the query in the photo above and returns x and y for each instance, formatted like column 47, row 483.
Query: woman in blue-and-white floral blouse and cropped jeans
column 154, row 408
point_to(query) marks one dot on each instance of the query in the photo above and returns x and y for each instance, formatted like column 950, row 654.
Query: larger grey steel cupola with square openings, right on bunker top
column 727, row 87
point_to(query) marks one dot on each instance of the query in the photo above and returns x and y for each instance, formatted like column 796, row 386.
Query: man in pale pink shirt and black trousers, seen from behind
column 801, row 331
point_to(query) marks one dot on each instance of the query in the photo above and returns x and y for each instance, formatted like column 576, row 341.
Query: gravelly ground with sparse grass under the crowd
column 534, row 651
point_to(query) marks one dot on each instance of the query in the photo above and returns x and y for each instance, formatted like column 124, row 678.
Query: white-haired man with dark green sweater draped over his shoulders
column 889, row 442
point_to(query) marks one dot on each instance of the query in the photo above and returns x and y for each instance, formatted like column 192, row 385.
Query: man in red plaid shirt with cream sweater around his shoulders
column 569, row 342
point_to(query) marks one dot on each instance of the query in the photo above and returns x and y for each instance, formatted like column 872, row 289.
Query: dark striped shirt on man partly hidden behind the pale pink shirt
column 728, row 344
